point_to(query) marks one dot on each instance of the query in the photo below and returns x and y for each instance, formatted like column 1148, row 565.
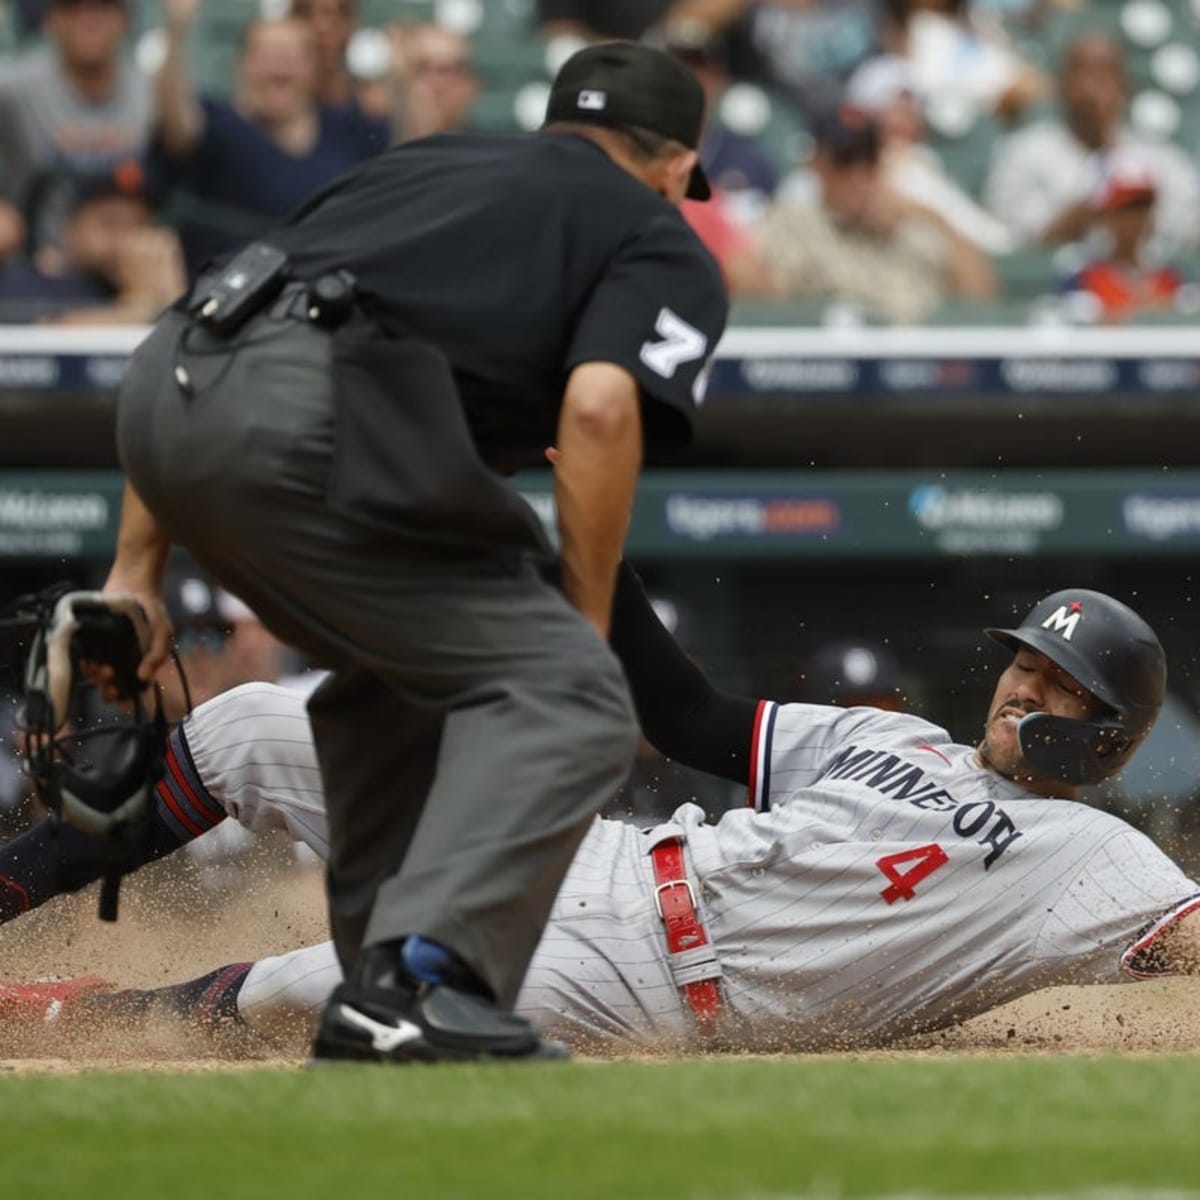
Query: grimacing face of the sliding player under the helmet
column 1031, row 685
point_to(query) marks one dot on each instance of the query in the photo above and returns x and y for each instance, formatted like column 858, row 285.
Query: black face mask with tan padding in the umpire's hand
column 111, row 795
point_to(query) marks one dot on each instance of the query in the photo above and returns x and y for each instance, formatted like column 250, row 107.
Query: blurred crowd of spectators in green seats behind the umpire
column 887, row 160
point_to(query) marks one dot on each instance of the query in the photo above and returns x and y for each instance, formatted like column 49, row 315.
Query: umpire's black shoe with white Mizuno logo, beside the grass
column 382, row 1015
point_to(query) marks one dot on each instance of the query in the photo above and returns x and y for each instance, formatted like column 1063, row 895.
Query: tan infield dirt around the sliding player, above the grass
column 175, row 927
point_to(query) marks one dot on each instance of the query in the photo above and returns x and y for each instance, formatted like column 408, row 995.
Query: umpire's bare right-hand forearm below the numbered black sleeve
column 599, row 459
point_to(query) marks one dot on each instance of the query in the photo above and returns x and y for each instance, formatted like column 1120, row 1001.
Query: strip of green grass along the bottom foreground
column 705, row 1130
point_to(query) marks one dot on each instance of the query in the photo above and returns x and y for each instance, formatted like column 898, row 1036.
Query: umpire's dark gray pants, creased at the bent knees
column 473, row 724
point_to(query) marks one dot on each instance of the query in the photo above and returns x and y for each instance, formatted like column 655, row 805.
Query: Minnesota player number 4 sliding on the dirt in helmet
column 883, row 880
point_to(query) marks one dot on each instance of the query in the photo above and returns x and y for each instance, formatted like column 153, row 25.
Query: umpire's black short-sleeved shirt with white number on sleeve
column 521, row 259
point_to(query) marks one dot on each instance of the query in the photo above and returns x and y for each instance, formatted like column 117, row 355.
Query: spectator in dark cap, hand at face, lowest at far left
column 113, row 266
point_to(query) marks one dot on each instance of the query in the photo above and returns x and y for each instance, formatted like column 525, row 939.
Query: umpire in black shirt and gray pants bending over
column 326, row 423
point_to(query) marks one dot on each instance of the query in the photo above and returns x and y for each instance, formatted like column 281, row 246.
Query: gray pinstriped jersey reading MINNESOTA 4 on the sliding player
column 886, row 883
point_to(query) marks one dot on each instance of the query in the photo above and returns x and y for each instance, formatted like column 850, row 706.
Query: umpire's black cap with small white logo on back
column 626, row 83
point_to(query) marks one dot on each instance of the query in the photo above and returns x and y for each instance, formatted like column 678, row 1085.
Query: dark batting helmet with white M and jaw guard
column 1109, row 651
